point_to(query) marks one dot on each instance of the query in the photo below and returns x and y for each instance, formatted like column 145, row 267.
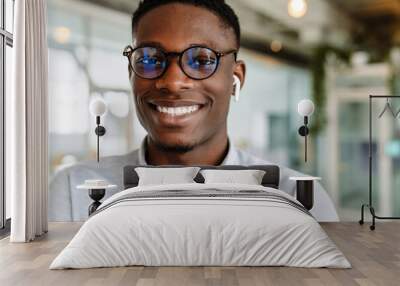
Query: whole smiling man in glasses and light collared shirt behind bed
column 182, row 65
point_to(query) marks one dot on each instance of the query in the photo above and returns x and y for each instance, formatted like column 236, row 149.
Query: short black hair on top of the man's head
column 218, row 7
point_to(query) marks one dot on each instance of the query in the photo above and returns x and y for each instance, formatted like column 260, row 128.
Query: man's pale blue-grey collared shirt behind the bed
column 67, row 203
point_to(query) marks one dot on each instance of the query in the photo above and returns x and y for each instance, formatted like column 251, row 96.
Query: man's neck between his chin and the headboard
column 211, row 152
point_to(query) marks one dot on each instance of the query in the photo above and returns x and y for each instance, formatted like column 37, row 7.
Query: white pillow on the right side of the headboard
column 249, row 177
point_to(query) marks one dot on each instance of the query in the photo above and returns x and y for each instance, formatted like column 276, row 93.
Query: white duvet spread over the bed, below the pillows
column 184, row 230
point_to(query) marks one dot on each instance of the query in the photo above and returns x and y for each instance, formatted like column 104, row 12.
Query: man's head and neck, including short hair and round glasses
column 181, row 72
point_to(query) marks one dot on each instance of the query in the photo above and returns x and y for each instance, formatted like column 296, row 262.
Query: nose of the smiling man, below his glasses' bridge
column 174, row 80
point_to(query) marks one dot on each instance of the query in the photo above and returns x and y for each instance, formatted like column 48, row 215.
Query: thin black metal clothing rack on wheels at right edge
column 370, row 205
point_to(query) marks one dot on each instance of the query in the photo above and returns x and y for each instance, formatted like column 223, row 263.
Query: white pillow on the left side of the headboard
column 162, row 176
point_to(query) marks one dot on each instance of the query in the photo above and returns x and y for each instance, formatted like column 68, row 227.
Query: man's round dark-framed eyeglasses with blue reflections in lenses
column 197, row 62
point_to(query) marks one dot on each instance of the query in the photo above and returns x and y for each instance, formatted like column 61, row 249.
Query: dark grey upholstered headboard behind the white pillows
column 270, row 179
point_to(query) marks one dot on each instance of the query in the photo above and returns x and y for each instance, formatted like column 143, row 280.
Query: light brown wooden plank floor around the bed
column 374, row 255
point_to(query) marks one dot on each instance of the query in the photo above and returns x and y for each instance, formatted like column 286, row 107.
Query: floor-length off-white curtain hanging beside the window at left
column 26, row 123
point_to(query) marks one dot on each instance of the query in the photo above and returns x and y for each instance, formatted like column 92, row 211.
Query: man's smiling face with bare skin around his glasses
column 175, row 27
